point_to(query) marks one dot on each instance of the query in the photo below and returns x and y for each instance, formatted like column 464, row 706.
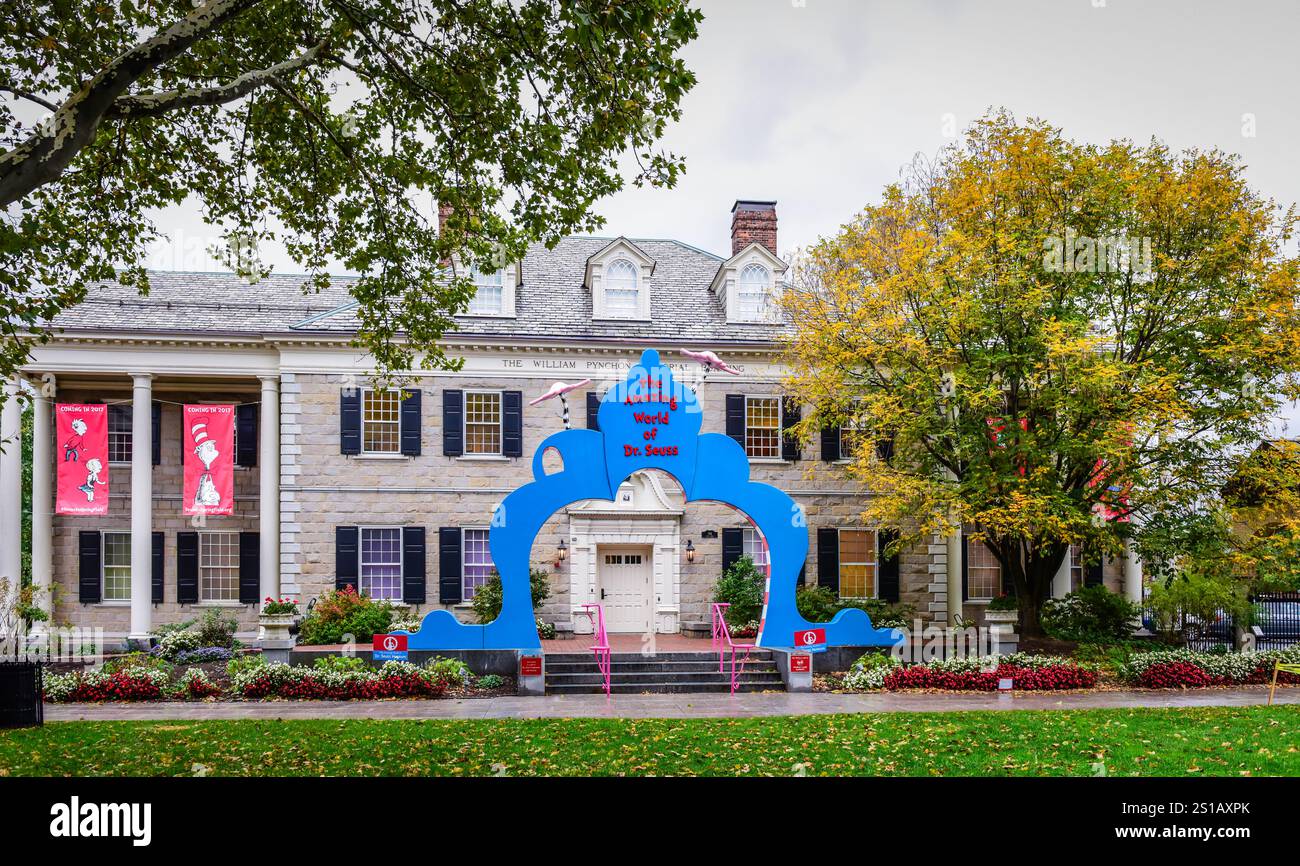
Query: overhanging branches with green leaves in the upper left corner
column 348, row 123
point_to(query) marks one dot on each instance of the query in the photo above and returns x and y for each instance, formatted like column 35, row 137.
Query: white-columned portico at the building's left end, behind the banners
column 144, row 532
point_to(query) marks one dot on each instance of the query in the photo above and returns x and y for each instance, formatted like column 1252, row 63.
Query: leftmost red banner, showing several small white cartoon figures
column 81, row 432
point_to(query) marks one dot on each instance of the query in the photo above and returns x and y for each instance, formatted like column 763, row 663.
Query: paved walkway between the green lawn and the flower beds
column 665, row 707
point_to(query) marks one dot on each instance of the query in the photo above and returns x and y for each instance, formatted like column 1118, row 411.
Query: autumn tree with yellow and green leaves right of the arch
column 1061, row 341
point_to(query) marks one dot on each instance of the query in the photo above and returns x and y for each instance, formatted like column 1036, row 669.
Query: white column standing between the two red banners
column 142, row 506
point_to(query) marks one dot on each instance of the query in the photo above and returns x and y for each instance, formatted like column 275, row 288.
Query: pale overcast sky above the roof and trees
column 820, row 103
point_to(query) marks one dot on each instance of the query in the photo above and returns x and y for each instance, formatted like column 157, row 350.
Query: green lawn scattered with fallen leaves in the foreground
column 1186, row 742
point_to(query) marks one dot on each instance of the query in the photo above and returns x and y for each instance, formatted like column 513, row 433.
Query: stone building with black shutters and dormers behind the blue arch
column 393, row 492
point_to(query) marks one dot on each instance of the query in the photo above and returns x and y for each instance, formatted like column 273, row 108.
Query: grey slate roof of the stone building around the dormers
column 552, row 302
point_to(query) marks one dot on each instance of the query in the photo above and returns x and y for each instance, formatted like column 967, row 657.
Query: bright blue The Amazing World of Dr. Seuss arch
column 648, row 422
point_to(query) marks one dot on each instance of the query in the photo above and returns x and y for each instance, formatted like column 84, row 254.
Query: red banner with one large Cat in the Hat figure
column 210, row 457
